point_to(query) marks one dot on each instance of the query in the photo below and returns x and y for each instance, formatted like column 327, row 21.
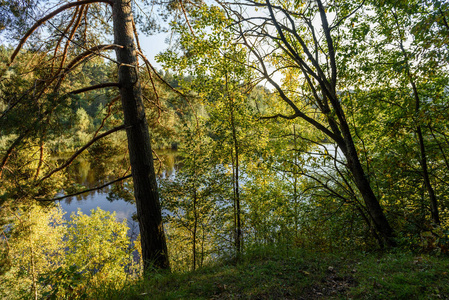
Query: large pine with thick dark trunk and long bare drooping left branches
column 154, row 250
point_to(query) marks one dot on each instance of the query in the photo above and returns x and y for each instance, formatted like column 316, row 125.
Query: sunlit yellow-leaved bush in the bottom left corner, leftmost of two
column 35, row 246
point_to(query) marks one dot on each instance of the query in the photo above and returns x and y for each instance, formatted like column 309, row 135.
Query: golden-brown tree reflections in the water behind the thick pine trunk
column 89, row 172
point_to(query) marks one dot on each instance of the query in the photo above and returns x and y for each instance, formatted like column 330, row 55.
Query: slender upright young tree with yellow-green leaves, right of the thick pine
column 222, row 83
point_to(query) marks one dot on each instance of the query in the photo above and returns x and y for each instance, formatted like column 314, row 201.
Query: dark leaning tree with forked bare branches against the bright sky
column 302, row 41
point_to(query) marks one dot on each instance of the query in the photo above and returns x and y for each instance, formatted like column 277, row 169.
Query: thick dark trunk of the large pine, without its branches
column 154, row 247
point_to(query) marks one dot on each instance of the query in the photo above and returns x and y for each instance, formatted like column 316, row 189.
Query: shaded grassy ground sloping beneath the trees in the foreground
column 266, row 274
